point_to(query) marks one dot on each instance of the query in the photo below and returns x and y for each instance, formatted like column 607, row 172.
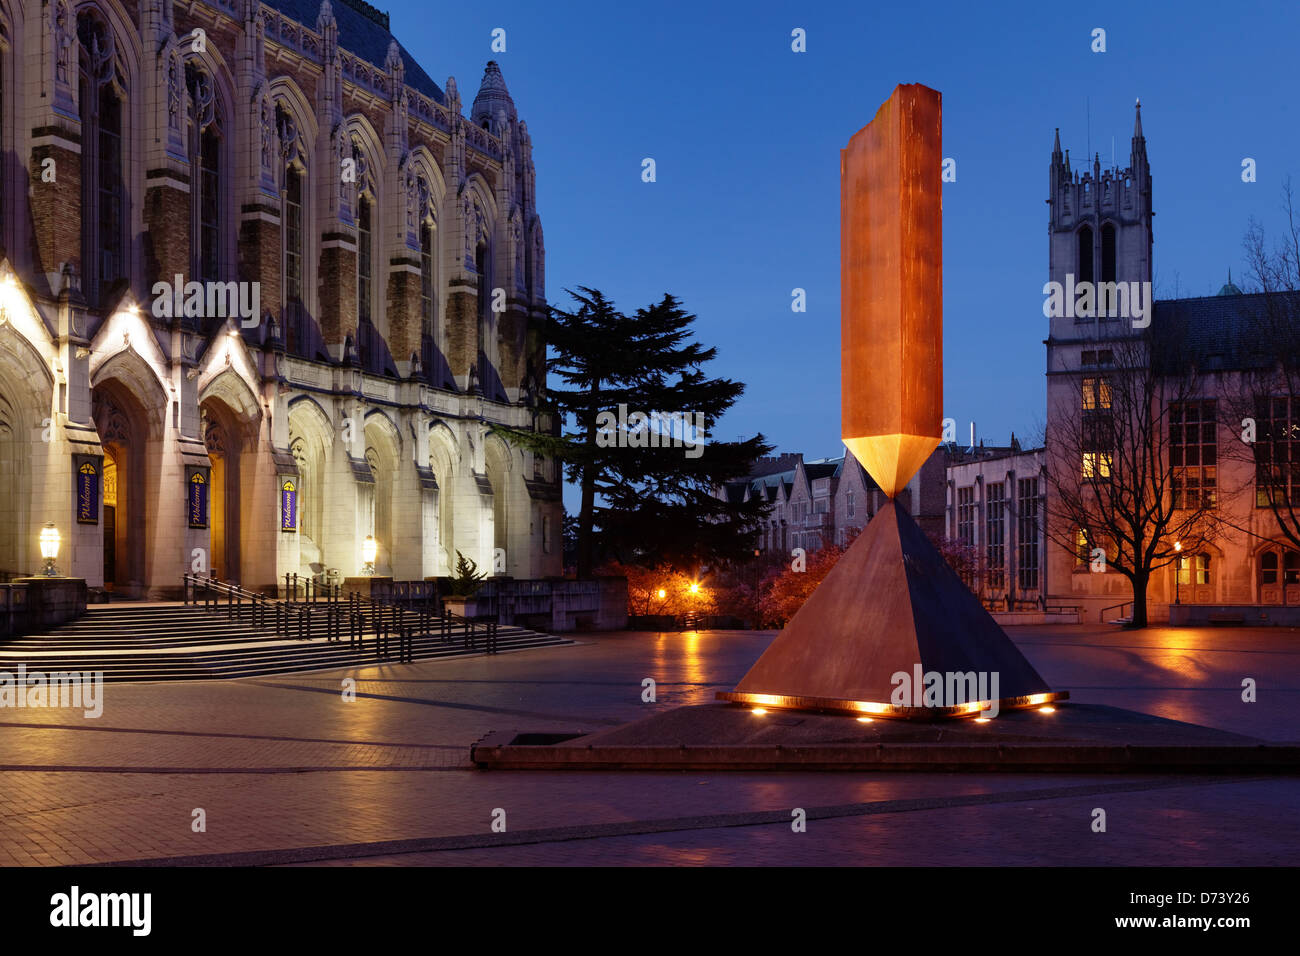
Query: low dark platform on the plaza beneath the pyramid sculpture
column 1069, row 738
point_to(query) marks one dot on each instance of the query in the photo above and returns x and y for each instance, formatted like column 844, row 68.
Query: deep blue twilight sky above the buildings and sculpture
column 747, row 136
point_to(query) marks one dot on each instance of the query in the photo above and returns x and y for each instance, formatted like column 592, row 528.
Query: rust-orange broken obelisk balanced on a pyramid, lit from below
column 892, row 605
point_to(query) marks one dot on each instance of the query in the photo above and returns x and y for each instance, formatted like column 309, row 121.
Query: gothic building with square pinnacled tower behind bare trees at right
column 1100, row 230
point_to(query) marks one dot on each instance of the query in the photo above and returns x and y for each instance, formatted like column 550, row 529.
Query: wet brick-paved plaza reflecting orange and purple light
column 287, row 772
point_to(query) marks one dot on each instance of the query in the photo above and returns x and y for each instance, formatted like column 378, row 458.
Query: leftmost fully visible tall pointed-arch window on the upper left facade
column 103, row 196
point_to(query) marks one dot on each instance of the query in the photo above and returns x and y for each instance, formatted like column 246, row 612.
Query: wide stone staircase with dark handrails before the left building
column 176, row 642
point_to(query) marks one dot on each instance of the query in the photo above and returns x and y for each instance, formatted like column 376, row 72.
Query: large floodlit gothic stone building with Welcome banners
column 371, row 300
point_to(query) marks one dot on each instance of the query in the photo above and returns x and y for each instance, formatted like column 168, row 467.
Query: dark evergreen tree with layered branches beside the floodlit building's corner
column 643, row 409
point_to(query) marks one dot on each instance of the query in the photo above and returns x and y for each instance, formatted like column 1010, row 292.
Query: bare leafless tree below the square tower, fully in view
column 1112, row 452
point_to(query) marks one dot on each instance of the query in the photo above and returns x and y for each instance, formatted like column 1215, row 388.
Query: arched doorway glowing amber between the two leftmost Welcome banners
column 123, row 431
